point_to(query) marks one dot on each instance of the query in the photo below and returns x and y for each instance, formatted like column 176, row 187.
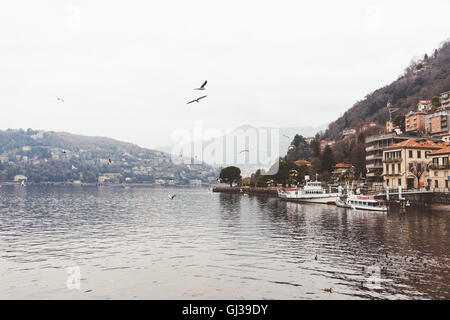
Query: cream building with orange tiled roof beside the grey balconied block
column 402, row 161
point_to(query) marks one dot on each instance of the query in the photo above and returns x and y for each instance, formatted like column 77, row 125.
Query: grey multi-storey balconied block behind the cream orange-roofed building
column 374, row 155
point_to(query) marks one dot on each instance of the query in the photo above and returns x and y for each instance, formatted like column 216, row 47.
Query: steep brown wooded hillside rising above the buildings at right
column 421, row 80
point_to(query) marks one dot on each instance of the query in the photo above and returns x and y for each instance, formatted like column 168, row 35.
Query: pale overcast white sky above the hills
column 126, row 69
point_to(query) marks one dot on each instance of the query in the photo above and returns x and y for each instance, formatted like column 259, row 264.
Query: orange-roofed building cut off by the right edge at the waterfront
column 440, row 169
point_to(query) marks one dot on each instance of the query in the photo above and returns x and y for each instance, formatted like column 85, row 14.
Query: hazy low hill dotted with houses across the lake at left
column 44, row 156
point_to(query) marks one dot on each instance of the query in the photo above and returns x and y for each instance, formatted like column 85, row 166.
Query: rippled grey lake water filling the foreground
column 138, row 244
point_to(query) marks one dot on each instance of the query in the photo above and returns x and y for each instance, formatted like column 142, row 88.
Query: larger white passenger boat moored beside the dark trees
column 311, row 192
